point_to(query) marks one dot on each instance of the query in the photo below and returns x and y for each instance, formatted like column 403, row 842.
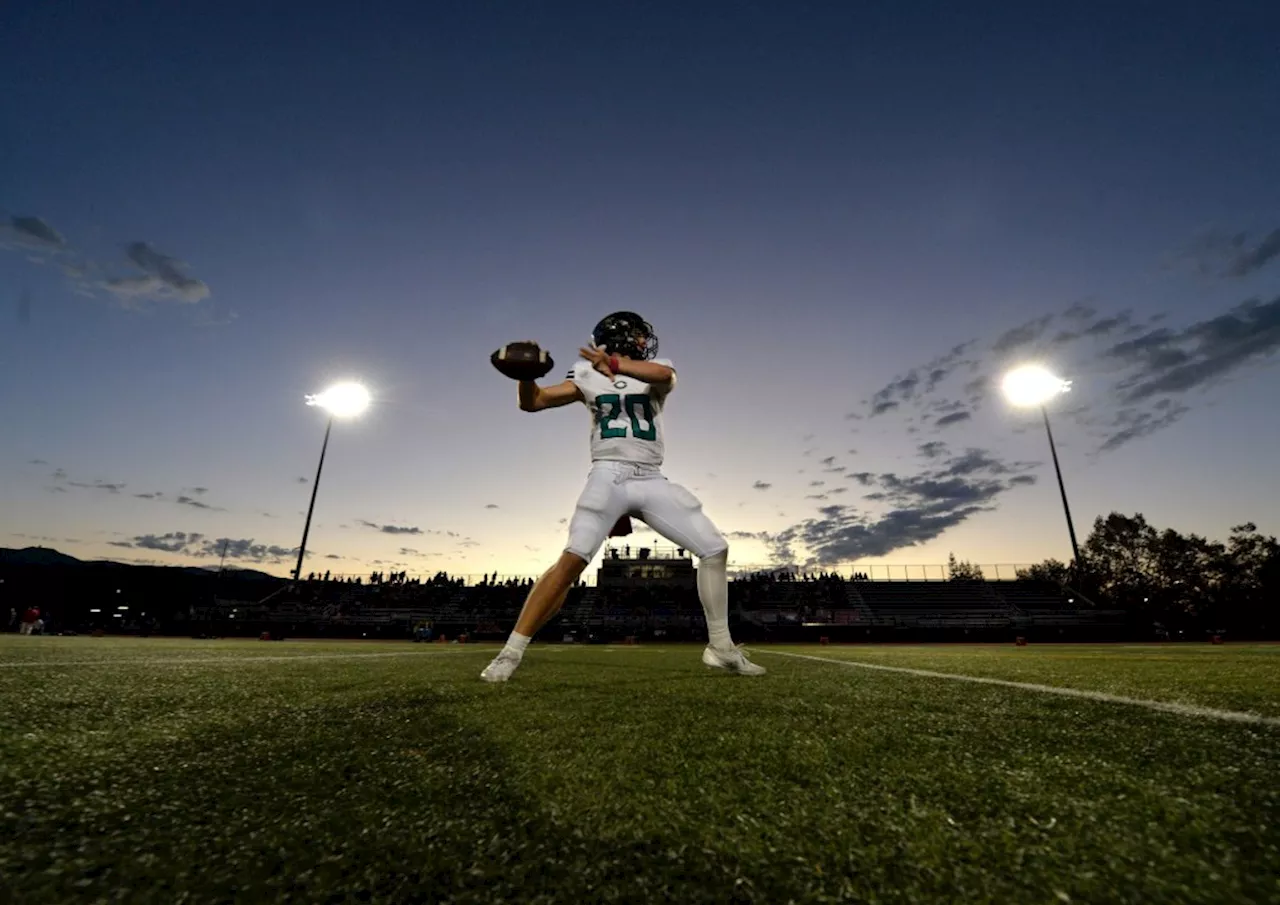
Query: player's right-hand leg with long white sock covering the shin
column 678, row 515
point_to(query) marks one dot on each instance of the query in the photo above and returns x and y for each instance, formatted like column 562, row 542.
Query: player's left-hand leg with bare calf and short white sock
column 602, row 504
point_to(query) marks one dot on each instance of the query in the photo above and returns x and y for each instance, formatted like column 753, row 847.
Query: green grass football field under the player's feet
column 173, row 771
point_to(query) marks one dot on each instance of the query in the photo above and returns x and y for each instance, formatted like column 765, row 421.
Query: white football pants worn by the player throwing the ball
column 616, row 490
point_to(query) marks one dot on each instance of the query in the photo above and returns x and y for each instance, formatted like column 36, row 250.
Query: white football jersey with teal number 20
column 627, row 415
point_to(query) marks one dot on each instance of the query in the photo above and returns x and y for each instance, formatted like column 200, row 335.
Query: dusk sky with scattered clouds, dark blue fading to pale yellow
column 845, row 222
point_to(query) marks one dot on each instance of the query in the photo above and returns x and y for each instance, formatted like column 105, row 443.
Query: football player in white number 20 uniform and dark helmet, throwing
column 625, row 387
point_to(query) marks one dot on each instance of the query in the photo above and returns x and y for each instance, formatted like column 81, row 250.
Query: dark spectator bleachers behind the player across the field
column 767, row 607
